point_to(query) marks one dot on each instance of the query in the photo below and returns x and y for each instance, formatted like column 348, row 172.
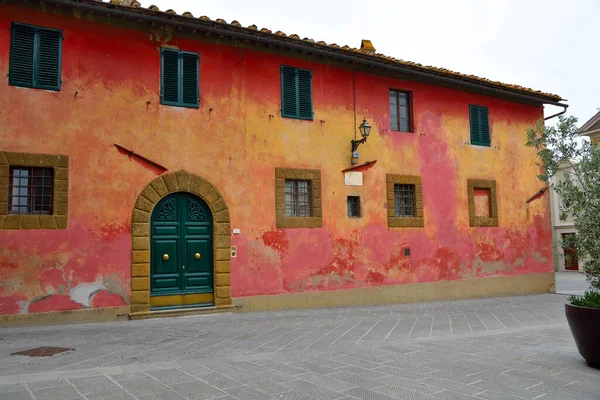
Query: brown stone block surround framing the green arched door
column 180, row 181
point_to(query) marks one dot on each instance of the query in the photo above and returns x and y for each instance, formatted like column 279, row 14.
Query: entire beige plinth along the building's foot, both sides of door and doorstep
column 397, row 294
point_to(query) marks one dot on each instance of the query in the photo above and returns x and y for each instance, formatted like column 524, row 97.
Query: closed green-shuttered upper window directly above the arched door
column 179, row 78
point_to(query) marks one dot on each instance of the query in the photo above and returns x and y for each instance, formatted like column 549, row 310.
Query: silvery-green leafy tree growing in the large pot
column 579, row 188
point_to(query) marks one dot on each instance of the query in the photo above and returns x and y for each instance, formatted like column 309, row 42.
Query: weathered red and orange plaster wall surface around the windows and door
column 232, row 142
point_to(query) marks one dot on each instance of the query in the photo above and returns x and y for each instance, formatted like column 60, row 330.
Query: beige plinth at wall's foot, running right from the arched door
column 400, row 294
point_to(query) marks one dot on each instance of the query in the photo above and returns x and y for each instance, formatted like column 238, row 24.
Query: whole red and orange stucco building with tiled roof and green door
column 154, row 163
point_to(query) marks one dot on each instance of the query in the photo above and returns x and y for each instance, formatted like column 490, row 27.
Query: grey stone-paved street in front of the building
column 501, row 348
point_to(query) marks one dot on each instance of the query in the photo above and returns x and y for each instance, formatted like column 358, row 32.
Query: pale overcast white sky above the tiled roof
column 547, row 45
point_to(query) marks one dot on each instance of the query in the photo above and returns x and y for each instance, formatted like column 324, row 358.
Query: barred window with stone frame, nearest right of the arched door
column 298, row 198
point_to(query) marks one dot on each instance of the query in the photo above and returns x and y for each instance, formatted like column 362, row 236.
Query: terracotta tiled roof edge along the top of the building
column 370, row 54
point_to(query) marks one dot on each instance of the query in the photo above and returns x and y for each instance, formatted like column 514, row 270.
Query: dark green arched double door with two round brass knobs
column 181, row 252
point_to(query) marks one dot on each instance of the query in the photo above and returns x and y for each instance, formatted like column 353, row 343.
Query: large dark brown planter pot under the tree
column 585, row 327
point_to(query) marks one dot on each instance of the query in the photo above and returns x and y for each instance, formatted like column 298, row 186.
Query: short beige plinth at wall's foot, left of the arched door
column 66, row 317
